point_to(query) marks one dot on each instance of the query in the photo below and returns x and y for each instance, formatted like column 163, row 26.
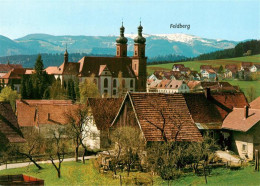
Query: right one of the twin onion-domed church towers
column 139, row 61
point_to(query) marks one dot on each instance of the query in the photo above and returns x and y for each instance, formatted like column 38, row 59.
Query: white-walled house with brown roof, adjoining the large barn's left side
column 101, row 114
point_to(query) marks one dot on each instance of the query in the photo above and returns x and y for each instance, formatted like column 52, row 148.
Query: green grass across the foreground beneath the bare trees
column 79, row 174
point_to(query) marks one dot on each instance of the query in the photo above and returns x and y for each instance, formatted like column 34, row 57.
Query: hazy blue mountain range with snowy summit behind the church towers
column 157, row 44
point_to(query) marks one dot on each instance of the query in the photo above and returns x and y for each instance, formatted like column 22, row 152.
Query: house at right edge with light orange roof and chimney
column 243, row 126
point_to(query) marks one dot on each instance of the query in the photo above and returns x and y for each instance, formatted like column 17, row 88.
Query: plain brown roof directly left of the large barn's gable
column 104, row 110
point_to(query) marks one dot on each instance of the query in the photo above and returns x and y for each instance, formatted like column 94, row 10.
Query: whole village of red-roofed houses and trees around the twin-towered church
column 130, row 121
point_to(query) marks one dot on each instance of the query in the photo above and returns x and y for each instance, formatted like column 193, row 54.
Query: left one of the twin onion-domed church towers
column 121, row 43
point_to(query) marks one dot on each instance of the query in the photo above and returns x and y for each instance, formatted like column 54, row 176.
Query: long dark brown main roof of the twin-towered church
column 91, row 65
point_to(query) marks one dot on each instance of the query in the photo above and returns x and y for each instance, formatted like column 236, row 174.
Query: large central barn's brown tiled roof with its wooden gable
column 158, row 116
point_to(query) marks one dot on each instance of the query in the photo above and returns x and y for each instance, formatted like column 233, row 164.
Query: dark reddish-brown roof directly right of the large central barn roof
column 215, row 108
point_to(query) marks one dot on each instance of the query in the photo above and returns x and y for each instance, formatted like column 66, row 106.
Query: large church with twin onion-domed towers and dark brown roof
column 109, row 73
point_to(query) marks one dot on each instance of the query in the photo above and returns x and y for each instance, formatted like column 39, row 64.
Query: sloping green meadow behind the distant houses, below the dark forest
column 195, row 65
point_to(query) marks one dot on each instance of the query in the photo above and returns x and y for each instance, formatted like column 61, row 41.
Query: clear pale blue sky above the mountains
column 223, row 19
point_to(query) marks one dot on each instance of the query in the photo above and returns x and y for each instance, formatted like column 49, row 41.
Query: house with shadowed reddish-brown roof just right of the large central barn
column 209, row 109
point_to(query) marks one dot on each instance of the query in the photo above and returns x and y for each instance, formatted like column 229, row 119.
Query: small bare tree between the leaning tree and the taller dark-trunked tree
column 56, row 148
